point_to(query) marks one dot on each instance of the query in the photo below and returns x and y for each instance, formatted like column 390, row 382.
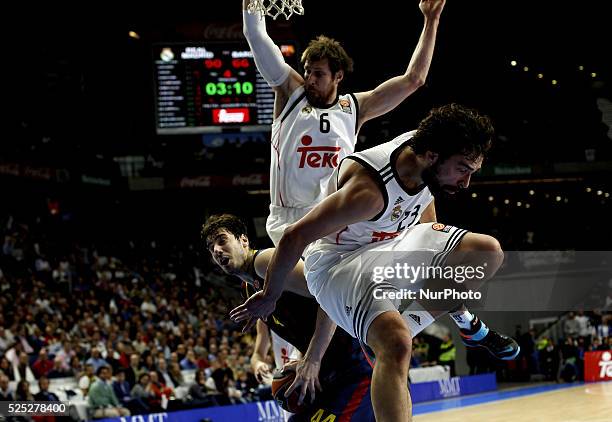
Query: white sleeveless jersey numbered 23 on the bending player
column 403, row 206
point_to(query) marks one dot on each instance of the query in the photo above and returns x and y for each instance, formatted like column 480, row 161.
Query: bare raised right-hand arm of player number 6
column 392, row 92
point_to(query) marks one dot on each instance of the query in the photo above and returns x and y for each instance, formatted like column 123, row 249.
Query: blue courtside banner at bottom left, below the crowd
column 267, row 411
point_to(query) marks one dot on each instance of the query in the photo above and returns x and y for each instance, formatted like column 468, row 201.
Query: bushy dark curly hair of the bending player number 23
column 454, row 129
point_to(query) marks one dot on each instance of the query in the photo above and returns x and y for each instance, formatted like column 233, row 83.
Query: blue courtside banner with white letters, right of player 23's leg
column 453, row 387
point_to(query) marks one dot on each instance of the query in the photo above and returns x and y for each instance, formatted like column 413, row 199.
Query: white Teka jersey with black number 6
column 307, row 145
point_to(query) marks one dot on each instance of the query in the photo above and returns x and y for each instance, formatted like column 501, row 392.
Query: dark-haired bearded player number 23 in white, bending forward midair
column 368, row 221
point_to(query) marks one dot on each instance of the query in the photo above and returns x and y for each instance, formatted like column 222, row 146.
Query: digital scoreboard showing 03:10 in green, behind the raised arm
column 209, row 87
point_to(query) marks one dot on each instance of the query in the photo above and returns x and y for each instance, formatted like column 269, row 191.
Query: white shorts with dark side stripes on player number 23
column 344, row 284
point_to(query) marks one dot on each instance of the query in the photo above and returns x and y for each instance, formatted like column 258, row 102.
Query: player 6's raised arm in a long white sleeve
column 268, row 58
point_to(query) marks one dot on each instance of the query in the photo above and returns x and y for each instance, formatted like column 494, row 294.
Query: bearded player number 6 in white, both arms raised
column 314, row 127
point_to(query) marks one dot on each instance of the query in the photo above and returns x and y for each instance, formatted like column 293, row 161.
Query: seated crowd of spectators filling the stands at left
column 134, row 338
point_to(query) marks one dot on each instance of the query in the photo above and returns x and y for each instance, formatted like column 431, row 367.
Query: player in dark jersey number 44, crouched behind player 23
column 334, row 360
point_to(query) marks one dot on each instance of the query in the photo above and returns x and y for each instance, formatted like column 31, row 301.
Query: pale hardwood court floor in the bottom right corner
column 584, row 403
